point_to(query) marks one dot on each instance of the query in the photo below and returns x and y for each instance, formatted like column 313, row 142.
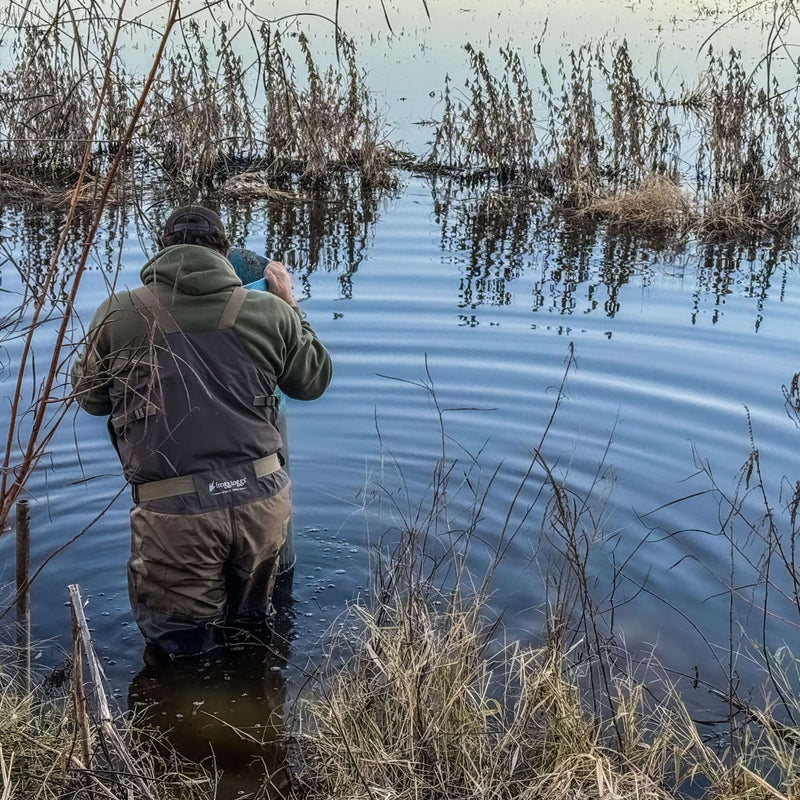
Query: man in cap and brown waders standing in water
column 186, row 367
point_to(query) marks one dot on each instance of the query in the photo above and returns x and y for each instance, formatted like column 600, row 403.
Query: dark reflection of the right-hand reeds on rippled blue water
column 579, row 266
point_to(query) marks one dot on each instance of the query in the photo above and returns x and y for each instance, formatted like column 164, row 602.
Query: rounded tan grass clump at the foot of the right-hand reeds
column 657, row 205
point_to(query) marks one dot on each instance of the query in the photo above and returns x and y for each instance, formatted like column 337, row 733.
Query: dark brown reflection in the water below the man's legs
column 226, row 711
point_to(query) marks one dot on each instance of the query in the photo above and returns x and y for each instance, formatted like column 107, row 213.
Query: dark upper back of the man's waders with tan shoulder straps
column 191, row 401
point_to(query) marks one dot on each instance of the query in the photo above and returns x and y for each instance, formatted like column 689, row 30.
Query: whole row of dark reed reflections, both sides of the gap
column 493, row 235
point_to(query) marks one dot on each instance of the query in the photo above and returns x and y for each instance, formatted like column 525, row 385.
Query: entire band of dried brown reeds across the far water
column 716, row 159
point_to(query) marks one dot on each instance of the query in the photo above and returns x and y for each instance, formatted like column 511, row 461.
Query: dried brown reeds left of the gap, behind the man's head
column 209, row 117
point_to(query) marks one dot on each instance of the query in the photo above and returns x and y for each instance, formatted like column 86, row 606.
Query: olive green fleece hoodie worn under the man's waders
column 194, row 284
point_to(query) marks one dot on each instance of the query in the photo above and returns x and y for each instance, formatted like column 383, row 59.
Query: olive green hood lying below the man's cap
column 190, row 269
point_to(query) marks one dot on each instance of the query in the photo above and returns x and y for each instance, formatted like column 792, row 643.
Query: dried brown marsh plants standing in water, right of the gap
column 600, row 141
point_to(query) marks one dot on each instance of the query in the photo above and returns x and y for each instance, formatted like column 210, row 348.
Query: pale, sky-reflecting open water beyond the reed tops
column 407, row 65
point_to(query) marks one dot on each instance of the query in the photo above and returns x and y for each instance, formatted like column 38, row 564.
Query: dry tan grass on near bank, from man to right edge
column 422, row 701
